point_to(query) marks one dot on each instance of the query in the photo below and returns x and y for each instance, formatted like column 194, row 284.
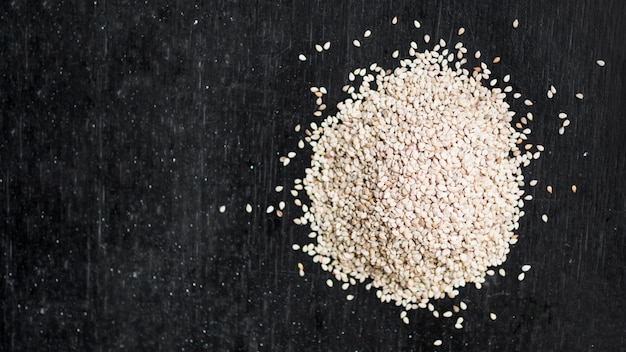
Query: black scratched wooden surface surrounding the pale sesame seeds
column 125, row 125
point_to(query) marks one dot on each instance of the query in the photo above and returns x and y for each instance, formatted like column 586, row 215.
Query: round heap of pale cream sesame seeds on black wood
column 414, row 183
